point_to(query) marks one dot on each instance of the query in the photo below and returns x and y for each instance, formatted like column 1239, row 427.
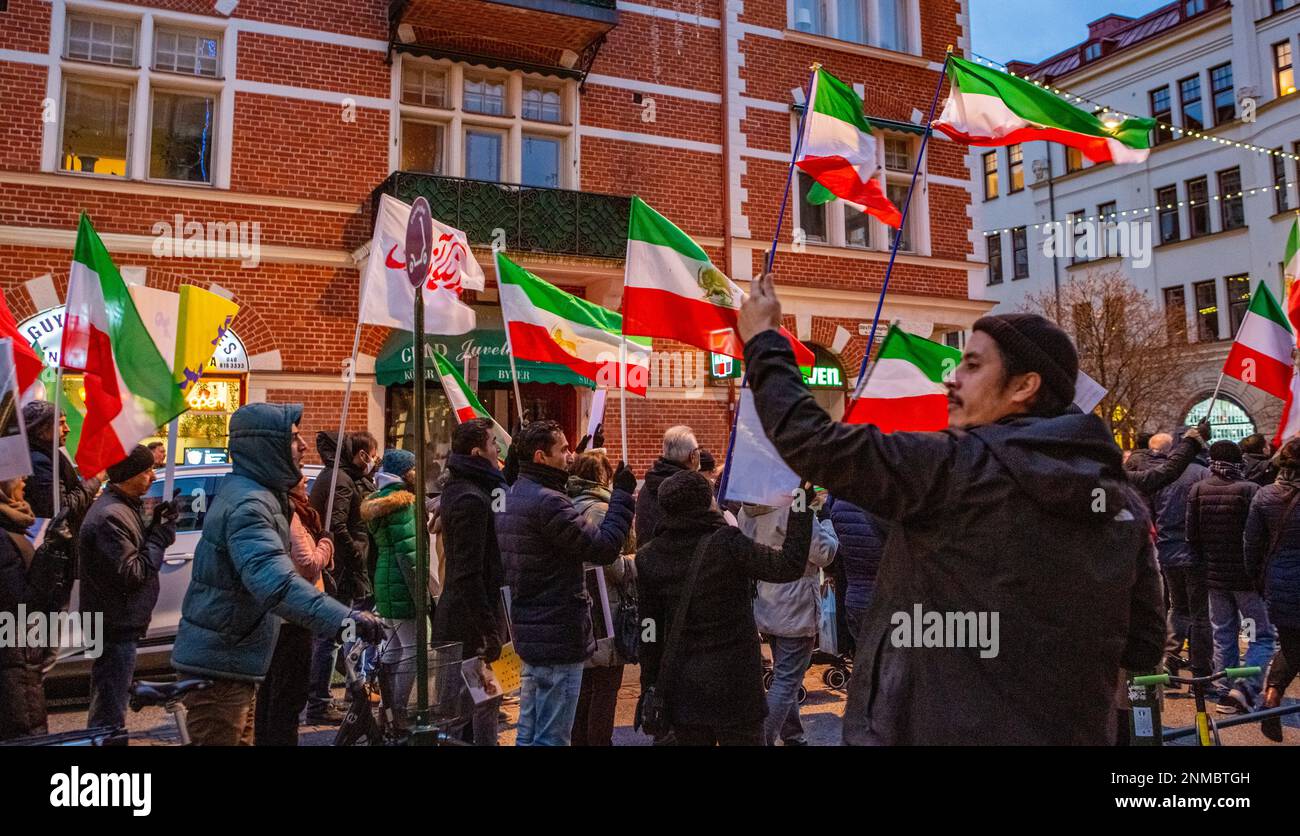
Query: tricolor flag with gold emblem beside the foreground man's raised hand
column 673, row 291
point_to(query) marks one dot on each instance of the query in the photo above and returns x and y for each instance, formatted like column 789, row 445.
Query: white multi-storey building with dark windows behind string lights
column 1219, row 213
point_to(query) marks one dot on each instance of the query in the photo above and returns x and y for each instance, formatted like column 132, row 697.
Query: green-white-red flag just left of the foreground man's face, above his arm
column 907, row 389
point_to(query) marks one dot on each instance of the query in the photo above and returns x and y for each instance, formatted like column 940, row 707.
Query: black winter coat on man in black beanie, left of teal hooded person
column 120, row 562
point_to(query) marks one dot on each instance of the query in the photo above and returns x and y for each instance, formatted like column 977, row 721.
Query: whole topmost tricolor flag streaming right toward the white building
column 987, row 107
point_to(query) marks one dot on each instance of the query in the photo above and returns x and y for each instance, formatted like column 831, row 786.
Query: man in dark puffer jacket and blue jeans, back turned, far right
column 1217, row 509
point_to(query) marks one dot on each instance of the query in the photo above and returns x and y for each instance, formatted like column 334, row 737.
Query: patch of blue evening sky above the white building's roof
column 1032, row 31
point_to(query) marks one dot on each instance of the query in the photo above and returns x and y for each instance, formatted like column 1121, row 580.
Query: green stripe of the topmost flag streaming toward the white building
column 1042, row 107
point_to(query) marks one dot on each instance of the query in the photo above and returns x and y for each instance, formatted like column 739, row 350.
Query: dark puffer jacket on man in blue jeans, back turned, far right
column 1216, row 521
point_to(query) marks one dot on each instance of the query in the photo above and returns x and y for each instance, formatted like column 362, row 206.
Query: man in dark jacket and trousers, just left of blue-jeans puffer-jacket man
column 1185, row 577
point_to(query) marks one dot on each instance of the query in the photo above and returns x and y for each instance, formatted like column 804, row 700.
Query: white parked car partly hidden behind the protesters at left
column 198, row 484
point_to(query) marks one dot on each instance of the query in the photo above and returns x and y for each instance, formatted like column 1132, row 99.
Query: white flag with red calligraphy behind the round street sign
column 388, row 297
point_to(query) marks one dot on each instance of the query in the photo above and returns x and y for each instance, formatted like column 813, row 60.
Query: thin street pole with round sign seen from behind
column 419, row 246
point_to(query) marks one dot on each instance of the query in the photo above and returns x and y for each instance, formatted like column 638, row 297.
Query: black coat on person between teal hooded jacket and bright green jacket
column 352, row 574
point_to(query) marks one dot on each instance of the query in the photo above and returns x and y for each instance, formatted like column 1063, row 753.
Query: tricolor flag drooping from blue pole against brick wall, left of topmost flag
column 839, row 151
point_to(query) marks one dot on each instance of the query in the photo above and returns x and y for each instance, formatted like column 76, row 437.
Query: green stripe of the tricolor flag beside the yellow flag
column 138, row 361
